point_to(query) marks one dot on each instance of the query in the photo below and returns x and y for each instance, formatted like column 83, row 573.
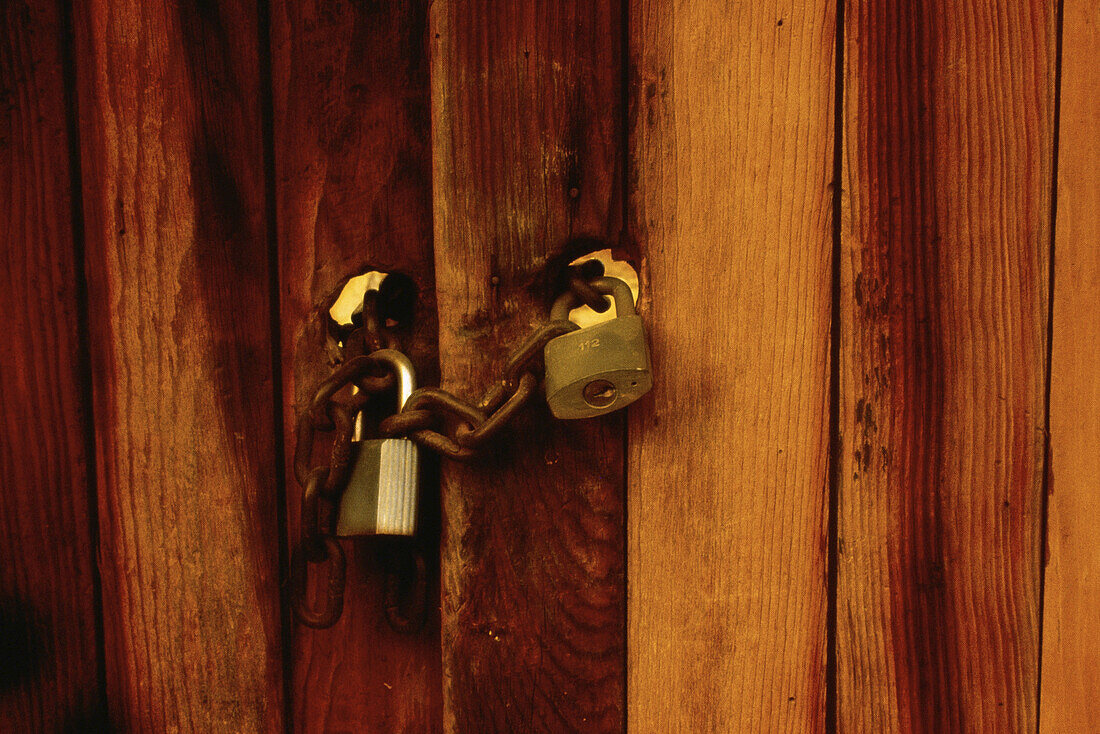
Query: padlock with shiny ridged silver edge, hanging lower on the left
column 383, row 487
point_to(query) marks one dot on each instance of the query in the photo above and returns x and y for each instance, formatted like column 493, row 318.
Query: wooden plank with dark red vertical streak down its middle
column 949, row 141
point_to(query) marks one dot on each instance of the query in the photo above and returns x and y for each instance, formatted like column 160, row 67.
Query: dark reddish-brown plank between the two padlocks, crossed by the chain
column 526, row 135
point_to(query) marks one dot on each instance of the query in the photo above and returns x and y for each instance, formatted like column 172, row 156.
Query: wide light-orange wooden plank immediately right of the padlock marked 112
column 732, row 152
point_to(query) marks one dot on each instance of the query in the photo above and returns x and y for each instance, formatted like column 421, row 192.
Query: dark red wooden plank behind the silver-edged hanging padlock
column 354, row 194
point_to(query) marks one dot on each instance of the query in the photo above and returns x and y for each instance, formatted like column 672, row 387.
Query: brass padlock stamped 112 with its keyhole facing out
column 601, row 368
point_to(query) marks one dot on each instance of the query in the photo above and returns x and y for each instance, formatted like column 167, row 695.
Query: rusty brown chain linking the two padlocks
column 435, row 419
